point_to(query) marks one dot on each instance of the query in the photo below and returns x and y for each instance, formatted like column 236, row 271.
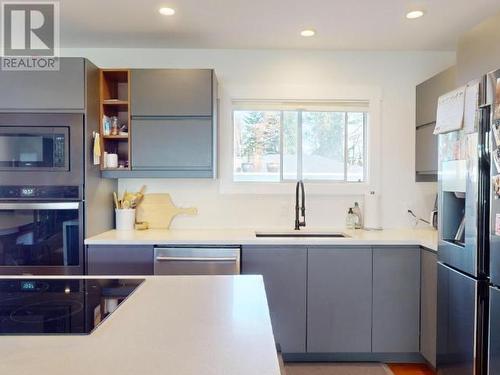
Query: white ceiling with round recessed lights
column 346, row 24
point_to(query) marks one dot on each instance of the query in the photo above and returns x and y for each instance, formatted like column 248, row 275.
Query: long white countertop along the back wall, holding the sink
column 421, row 237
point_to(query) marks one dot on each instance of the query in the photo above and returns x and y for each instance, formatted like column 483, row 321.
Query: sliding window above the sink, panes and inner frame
column 289, row 141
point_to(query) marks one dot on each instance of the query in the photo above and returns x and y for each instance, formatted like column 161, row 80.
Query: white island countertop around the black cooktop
column 171, row 325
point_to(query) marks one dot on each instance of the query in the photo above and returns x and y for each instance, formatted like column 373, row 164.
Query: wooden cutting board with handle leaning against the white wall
column 158, row 210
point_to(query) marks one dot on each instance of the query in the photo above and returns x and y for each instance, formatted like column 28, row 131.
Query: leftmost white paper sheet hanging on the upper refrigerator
column 450, row 112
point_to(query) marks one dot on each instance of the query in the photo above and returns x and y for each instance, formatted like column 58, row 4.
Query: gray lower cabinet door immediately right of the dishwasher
column 284, row 271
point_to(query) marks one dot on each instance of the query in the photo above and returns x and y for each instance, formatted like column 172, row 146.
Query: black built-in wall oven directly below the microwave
column 41, row 230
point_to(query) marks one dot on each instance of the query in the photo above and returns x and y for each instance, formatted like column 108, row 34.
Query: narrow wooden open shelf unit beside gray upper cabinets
column 115, row 101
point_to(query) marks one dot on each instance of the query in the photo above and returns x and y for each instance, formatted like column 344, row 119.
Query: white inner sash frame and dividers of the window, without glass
column 320, row 106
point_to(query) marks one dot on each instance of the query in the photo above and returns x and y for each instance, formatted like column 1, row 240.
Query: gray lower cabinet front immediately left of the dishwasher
column 119, row 260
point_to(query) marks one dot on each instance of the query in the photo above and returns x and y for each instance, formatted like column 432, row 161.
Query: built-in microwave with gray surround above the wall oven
column 41, row 149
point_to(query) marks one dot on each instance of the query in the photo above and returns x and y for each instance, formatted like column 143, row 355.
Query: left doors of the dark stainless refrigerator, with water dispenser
column 464, row 201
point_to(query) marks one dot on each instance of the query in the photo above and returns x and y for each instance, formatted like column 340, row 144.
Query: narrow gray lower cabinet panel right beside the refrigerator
column 428, row 305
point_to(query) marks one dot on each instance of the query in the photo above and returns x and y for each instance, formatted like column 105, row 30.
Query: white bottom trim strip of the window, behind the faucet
column 286, row 188
